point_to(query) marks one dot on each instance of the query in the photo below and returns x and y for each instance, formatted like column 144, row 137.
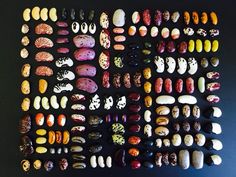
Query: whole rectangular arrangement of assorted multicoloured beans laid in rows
column 118, row 89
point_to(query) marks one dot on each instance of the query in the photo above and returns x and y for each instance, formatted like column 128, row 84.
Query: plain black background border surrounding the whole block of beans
column 11, row 21
